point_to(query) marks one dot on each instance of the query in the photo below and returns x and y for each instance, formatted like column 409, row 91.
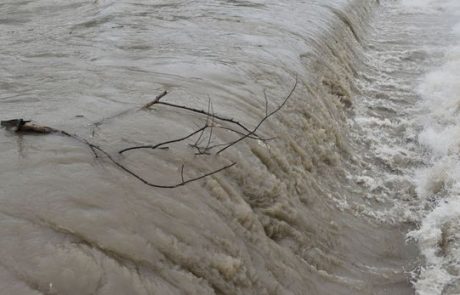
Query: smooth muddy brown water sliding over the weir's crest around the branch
column 274, row 223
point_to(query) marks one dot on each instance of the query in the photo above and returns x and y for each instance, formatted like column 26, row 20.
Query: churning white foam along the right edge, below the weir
column 439, row 185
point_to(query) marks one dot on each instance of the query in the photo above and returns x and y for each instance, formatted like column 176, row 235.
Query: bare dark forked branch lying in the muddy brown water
column 203, row 135
